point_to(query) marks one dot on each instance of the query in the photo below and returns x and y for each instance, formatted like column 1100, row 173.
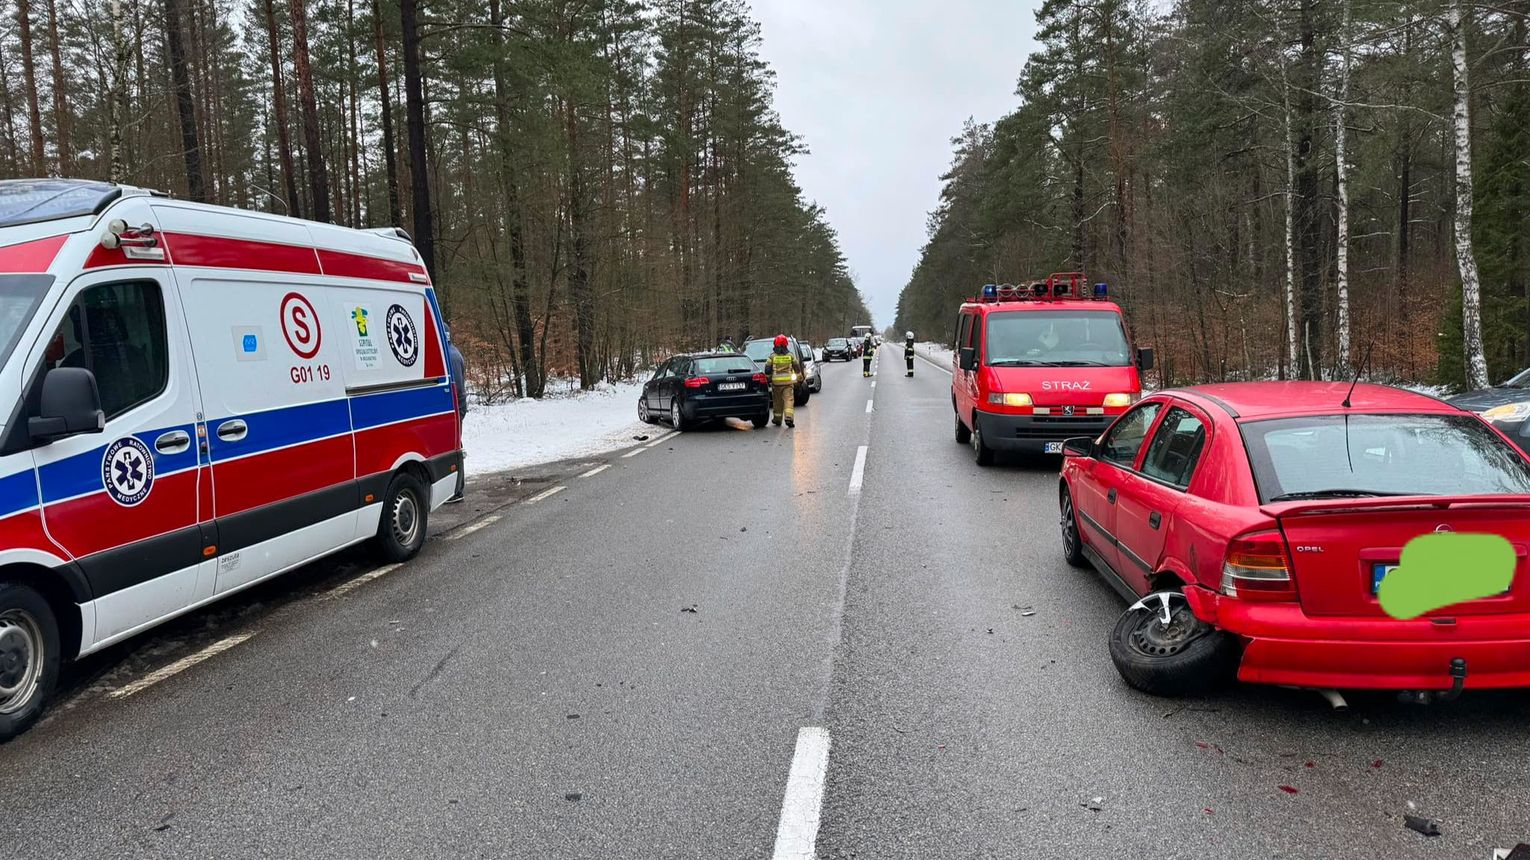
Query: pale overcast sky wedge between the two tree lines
column 877, row 90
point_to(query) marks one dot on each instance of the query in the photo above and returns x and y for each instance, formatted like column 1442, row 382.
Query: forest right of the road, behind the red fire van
column 1274, row 189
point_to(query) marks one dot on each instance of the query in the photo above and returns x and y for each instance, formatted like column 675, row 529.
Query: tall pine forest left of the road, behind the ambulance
column 593, row 184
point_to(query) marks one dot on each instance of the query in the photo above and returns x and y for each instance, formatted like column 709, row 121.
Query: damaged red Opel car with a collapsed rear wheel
column 1254, row 523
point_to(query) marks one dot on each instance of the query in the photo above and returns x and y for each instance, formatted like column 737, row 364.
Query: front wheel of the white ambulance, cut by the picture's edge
column 30, row 657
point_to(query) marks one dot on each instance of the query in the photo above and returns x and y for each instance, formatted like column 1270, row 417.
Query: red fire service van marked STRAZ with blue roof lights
column 1041, row 363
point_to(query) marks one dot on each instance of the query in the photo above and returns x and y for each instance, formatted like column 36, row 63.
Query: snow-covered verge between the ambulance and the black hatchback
column 527, row 432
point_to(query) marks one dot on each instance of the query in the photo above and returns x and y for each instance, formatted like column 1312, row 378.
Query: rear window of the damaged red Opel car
column 1333, row 457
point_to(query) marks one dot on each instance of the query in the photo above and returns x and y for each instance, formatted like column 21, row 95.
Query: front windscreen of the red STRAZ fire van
column 1056, row 339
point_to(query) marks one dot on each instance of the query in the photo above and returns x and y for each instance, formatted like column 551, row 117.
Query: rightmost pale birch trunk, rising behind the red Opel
column 1465, row 258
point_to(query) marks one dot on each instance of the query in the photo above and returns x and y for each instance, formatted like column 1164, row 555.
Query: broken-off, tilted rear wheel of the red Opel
column 1179, row 659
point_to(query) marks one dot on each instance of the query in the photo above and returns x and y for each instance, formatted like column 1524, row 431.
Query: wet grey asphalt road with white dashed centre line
column 620, row 663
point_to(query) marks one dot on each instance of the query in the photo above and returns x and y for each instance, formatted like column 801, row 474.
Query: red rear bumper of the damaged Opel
column 1287, row 647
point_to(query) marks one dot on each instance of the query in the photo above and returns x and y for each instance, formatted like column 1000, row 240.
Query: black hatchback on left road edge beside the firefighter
column 689, row 389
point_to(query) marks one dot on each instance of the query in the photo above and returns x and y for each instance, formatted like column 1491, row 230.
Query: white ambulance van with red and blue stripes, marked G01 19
column 203, row 399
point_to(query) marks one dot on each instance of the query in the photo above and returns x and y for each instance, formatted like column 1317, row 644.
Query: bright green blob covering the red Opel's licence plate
column 1444, row 570
